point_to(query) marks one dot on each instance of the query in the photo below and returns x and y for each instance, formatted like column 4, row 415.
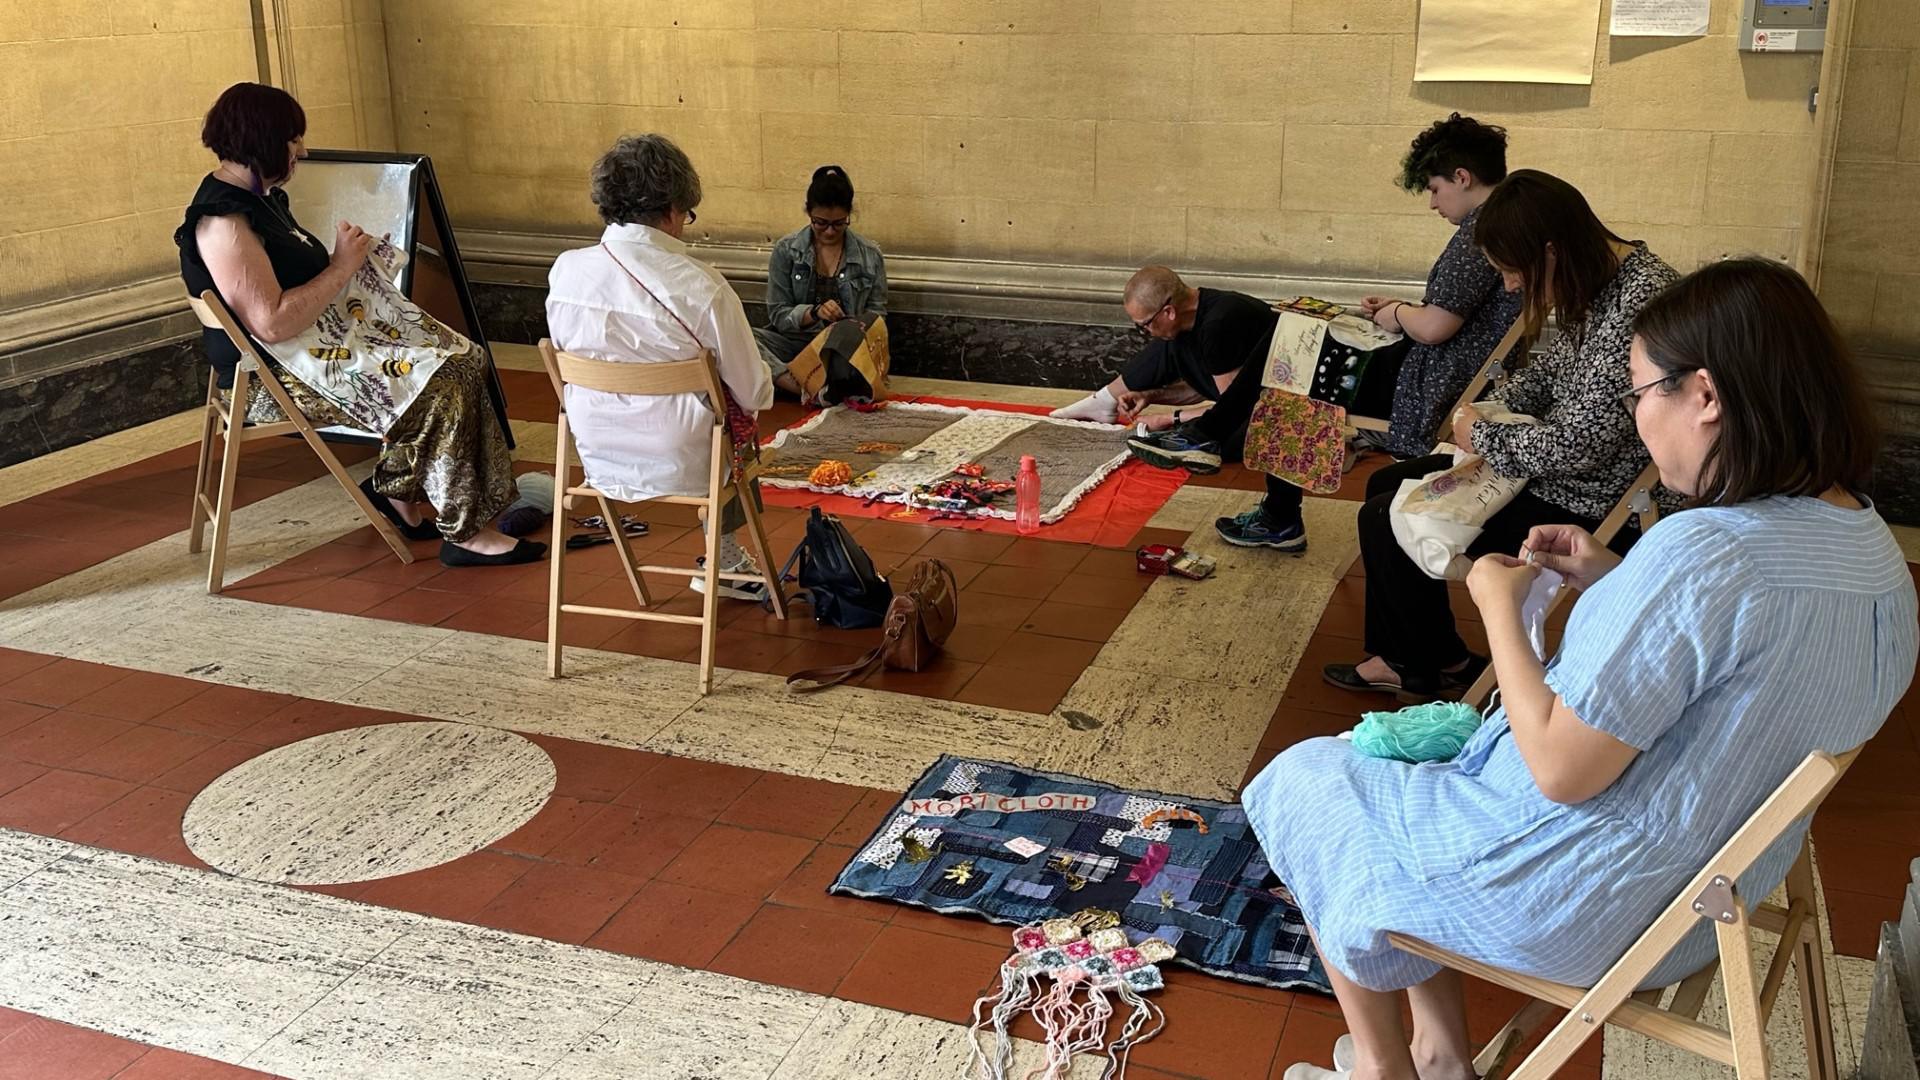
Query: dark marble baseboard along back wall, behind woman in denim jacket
column 930, row 347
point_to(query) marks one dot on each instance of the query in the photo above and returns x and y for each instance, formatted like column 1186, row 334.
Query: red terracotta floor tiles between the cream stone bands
column 110, row 758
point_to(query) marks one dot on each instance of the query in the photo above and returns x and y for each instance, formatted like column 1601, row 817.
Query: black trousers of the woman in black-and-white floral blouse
column 1410, row 622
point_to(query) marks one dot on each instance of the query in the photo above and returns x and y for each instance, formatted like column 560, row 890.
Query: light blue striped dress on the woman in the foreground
column 1727, row 647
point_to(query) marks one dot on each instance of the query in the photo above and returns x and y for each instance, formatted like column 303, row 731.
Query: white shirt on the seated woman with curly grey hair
column 644, row 447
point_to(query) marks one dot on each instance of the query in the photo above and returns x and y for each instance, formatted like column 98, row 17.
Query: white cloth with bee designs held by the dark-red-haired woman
column 372, row 351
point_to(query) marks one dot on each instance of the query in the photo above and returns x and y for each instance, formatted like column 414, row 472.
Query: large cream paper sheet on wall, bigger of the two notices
column 1485, row 41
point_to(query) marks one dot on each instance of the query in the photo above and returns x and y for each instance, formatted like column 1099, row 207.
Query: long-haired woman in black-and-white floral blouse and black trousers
column 1579, row 462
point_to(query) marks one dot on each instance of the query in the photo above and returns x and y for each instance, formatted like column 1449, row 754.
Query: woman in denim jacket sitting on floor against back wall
column 823, row 280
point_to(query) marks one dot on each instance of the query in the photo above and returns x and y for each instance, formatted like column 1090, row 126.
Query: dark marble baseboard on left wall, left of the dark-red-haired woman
column 74, row 406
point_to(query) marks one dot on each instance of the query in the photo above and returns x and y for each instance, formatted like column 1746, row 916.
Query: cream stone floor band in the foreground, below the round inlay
column 318, row 989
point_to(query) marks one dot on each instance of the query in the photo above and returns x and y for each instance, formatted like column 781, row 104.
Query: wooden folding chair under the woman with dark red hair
column 228, row 420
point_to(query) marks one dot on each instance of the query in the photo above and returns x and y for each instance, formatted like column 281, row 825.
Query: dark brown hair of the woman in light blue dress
column 1794, row 416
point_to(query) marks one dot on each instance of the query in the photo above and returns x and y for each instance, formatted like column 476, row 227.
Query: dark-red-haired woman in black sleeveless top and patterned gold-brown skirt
column 444, row 470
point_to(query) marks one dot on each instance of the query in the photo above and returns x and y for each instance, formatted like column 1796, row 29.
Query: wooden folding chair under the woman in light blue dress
column 1716, row 896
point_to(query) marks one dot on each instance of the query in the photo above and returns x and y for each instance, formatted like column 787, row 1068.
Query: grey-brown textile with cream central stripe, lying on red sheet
column 907, row 445
